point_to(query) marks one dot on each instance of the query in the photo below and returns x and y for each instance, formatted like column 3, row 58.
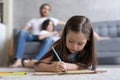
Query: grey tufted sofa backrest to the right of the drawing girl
column 107, row 28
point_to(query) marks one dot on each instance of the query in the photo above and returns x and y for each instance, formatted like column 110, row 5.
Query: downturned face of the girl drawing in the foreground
column 75, row 41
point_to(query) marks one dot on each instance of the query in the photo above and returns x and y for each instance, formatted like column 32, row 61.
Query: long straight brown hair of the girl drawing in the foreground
column 77, row 24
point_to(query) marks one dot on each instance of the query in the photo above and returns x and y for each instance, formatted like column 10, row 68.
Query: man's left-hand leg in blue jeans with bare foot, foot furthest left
column 23, row 36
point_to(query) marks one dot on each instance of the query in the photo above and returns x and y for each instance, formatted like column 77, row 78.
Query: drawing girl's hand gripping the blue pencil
column 58, row 66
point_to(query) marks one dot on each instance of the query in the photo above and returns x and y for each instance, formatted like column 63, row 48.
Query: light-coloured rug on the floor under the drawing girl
column 113, row 73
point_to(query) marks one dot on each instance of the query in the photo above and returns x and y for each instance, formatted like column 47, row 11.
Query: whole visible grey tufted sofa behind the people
column 108, row 51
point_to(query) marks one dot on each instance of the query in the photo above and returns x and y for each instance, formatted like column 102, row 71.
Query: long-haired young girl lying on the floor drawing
column 75, row 48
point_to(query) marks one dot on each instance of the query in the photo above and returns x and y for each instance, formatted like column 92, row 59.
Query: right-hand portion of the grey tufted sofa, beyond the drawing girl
column 108, row 51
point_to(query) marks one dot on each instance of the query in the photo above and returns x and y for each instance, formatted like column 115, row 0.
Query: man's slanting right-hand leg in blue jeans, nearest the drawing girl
column 45, row 44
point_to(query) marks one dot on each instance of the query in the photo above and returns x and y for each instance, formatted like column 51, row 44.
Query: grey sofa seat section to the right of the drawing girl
column 108, row 48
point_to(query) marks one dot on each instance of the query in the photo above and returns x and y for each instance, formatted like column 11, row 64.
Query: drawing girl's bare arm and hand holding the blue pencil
column 47, row 65
